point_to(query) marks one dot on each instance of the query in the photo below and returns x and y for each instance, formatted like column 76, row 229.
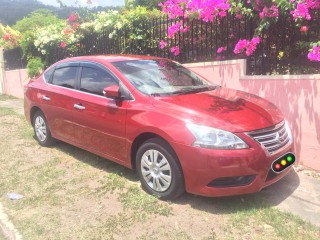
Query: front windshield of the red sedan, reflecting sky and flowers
column 162, row 77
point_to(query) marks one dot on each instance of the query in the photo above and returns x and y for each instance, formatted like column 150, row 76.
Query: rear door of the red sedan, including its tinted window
column 57, row 102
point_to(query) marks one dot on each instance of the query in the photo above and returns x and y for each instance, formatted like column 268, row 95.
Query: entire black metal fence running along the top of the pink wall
column 281, row 49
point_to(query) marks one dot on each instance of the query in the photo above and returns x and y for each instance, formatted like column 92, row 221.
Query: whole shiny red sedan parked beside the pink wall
column 178, row 130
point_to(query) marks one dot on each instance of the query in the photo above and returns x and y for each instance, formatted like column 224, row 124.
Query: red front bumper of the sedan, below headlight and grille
column 202, row 166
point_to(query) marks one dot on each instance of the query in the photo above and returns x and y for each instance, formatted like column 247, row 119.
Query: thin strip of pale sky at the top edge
column 84, row 2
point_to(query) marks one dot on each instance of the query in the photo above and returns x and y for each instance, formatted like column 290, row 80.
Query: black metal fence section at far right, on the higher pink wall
column 284, row 48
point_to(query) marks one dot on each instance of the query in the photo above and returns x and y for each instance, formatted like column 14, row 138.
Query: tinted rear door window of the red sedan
column 65, row 77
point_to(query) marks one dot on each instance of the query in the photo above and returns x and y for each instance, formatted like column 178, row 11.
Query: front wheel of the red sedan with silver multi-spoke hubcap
column 158, row 169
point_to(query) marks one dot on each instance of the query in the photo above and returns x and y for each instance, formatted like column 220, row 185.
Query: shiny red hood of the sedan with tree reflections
column 222, row 108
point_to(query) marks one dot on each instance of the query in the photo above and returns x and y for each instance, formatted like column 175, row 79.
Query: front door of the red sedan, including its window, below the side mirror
column 99, row 122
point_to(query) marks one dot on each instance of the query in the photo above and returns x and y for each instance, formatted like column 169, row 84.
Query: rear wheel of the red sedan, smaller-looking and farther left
column 41, row 130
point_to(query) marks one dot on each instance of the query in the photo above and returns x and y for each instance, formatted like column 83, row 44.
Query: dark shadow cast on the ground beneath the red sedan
column 270, row 196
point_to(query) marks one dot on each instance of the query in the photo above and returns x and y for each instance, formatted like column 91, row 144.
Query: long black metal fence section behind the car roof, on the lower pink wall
column 198, row 44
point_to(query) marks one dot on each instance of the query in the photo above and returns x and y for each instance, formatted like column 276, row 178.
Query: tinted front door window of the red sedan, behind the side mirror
column 95, row 80
